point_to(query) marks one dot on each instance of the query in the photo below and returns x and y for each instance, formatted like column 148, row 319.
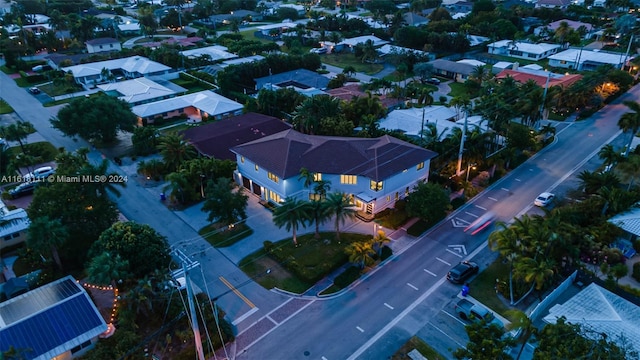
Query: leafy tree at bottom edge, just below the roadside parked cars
column 486, row 342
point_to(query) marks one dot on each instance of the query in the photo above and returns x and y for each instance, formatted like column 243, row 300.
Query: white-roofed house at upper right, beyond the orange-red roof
column 583, row 59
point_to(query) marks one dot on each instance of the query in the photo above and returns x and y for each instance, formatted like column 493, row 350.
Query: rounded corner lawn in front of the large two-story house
column 296, row 269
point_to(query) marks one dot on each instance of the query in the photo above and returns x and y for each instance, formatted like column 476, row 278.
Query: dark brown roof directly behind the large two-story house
column 215, row 139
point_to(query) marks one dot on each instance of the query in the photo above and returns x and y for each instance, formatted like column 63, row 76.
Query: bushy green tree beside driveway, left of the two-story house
column 223, row 203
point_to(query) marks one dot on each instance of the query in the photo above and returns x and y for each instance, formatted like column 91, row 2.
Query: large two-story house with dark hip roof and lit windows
column 374, row 173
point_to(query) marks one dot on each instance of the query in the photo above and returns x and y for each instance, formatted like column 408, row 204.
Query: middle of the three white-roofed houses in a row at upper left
column 137, row 91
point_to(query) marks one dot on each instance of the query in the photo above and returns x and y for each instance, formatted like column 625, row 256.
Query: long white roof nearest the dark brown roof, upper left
column 207, row 101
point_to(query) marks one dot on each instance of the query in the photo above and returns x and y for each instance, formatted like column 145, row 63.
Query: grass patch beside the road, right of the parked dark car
column 483, row 287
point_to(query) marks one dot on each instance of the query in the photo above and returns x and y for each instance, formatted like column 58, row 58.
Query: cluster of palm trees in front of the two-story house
column 294, row 213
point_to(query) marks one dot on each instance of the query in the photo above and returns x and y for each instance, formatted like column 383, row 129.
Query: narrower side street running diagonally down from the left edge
column 139, row 205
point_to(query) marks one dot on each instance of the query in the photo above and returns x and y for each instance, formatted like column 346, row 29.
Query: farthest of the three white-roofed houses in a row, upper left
column 131, row 67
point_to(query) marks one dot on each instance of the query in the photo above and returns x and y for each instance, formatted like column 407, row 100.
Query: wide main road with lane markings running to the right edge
column 398, row 300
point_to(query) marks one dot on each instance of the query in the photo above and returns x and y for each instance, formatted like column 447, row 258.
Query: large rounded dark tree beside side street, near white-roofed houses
column 95, row 118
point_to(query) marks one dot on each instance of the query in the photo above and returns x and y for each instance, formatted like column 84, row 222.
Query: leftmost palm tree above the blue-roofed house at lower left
column 47, row 234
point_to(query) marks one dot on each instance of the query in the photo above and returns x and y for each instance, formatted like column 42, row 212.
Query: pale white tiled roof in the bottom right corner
column 602, row 311
